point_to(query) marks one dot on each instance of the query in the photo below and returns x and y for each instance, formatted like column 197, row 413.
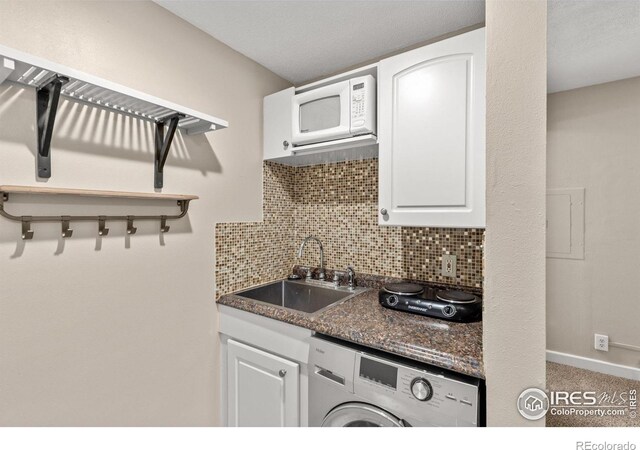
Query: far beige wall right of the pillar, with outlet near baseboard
column 594, row 143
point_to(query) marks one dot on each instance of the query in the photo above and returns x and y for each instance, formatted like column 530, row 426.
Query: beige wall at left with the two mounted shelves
column 121, row 331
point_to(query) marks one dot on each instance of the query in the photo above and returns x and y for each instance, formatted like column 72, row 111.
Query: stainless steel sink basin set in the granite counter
column 308, row 297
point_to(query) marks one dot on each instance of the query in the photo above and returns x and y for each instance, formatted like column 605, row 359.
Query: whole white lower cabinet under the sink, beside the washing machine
column 264, row 378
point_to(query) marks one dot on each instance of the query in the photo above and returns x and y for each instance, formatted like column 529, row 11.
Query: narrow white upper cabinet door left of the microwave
column 276, row 110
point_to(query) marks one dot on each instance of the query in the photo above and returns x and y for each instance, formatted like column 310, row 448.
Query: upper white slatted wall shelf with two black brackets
column 53, row 80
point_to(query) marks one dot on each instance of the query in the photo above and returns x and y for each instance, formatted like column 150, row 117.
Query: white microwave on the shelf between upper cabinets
column 336, row 111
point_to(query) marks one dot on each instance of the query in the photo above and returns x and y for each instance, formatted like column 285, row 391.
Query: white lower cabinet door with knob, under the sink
column 263, row 388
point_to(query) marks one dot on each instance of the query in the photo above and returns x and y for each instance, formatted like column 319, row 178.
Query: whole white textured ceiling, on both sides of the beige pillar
column 590, row 41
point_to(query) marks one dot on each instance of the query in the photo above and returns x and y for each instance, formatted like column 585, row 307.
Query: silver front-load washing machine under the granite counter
column 352, row 386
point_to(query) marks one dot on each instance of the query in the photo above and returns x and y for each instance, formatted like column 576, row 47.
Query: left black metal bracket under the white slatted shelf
column 48, row 95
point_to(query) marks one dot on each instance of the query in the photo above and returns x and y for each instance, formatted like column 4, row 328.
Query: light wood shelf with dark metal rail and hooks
column 27, row 233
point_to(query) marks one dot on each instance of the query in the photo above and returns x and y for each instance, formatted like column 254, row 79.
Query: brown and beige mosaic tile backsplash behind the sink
column 338, row 203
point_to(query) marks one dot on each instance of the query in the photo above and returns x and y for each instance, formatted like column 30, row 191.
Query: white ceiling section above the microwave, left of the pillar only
column 301, row 40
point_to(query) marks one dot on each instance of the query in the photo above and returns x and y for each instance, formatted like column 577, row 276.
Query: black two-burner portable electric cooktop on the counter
column 447, row 304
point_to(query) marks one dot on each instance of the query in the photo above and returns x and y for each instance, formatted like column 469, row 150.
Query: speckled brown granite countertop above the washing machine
column 362, row 320
